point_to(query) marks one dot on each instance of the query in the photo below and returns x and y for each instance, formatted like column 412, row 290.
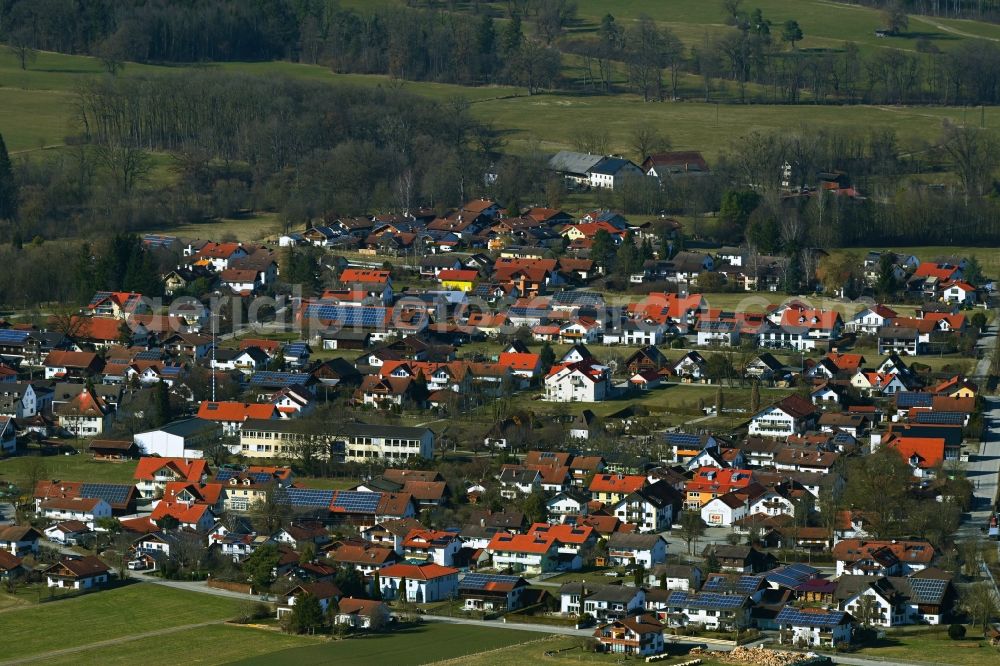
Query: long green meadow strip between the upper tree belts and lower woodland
column 37, row 109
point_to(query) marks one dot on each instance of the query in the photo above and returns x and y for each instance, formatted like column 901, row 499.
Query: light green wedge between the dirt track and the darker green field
column 216, row 644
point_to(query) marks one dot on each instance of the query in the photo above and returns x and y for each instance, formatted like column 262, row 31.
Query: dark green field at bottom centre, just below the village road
column 419, row 645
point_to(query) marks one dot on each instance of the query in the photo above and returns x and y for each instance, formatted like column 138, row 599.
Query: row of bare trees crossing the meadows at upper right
column 761, row 63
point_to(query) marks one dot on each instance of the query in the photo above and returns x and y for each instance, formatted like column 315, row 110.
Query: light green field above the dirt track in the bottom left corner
column 108, row 614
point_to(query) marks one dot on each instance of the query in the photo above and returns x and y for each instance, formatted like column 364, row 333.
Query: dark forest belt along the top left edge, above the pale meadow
column 413, row 44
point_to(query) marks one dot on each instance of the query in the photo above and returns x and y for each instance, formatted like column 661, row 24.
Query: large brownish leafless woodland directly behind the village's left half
column 237, row 143
